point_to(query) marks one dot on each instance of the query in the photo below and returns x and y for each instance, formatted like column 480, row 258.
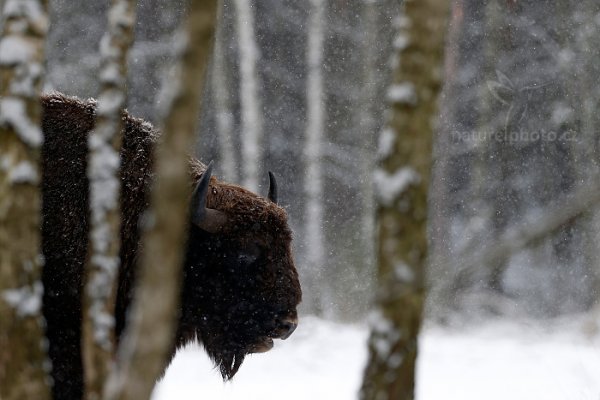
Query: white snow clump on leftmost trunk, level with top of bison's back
column 13, row 113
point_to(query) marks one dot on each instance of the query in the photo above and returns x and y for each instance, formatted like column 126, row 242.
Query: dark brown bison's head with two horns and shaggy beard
column 240, row 287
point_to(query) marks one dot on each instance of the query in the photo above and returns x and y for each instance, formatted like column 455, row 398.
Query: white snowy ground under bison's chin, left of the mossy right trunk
column 321, row 360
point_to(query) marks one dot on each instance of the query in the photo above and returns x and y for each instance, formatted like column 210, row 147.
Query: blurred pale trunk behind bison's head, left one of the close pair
column 224, row 113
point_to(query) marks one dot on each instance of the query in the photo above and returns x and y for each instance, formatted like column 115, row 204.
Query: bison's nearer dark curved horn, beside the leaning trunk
column 205, row 218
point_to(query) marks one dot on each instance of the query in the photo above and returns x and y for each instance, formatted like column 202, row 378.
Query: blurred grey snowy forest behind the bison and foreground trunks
column 516, row 135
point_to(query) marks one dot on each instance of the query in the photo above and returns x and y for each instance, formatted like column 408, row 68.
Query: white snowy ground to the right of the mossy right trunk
column 504, row 360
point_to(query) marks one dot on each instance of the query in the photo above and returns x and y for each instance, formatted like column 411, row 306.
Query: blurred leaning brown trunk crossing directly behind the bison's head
column 150, row 333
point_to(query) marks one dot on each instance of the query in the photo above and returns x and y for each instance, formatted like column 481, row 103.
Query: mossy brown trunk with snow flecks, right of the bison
column 402, row 183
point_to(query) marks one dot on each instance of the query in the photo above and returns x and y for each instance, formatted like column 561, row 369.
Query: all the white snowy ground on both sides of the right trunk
column 324, row 360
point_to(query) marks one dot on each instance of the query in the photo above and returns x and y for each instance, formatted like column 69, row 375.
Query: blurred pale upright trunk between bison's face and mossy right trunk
column 313, row 181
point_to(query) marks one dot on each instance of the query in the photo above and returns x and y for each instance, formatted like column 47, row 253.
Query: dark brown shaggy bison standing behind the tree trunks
column 240, row 287
